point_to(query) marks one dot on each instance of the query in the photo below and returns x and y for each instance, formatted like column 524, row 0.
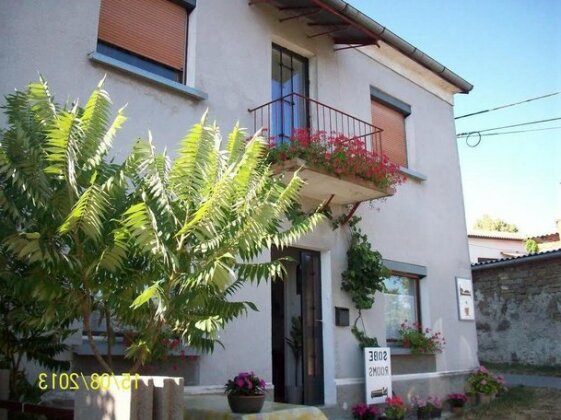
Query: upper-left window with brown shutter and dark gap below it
column 149, row 34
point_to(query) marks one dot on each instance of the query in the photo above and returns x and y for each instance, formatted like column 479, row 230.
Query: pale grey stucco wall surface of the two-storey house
column 230, row 59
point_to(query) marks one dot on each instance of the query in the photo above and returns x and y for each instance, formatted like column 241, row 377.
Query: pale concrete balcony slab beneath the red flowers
column 321, row 185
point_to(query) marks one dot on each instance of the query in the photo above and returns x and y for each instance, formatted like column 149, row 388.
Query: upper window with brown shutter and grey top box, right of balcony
column 389, row 114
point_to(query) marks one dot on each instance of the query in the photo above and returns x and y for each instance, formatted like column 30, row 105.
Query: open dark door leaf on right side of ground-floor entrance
column 312, row 327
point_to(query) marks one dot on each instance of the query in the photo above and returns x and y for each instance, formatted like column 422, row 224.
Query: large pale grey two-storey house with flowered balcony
column 318, row 64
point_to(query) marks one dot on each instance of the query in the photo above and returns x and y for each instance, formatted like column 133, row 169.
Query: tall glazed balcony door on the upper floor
column 289, row 82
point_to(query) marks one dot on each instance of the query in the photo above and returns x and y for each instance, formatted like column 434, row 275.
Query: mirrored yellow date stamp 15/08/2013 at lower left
column 79, row 381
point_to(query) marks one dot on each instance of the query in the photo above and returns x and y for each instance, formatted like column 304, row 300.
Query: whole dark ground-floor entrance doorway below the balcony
column 297, row 339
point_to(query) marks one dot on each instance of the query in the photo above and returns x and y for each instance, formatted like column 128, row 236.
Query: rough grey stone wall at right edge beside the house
column 518, row 310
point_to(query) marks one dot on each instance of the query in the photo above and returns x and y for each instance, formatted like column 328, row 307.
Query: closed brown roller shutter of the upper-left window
column 154, row 29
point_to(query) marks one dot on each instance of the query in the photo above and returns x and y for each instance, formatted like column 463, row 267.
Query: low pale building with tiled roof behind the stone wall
column 493, row 245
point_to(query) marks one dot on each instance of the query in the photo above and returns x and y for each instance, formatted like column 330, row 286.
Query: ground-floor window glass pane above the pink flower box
column 400, row 304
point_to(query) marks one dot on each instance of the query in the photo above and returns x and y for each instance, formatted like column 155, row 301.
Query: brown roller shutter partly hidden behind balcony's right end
column 393, row 137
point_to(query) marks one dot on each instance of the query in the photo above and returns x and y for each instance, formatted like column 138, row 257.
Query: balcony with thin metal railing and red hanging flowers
column 285, row 121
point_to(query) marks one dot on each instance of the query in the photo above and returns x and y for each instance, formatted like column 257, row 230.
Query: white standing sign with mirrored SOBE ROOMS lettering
column 378, row 374
